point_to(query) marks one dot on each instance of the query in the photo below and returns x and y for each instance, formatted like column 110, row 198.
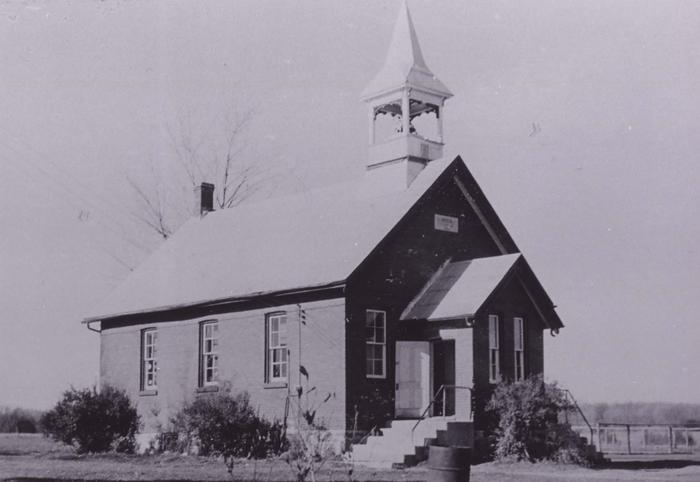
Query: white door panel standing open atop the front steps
column 413, row 370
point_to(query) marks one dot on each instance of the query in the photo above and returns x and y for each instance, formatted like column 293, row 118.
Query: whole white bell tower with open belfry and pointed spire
column 405, row 102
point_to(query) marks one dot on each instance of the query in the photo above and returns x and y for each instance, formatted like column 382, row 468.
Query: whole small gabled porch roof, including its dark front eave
column 461, row 288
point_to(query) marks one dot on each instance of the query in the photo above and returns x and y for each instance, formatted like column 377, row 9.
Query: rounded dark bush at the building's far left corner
column 93, row 421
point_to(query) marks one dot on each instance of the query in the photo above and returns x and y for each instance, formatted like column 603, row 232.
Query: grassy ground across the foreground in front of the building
column 31, row 458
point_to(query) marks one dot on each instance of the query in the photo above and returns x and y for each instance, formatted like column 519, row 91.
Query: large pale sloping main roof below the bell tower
column 304, row 240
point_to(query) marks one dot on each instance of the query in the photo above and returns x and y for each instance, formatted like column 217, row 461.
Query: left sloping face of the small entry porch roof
column 460, row 288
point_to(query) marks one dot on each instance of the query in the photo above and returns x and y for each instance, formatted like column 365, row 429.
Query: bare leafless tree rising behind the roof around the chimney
column 211, row 151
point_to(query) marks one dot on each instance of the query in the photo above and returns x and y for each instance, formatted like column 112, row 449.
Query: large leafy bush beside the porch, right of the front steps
column 528, row 427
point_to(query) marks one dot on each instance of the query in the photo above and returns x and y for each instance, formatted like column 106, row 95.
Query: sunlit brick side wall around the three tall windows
column 241, row 361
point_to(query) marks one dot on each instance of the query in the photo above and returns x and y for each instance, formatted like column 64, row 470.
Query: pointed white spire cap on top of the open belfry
column 404, row 64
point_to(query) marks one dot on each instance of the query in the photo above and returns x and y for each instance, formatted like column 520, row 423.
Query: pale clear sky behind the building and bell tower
column 579, row 119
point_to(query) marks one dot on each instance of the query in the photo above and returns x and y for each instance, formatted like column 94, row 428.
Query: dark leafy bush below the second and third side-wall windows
column 227, row 425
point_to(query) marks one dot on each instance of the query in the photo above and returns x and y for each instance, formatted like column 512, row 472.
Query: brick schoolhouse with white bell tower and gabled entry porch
column 401, row 294
